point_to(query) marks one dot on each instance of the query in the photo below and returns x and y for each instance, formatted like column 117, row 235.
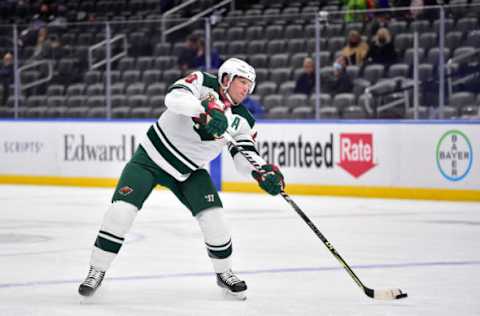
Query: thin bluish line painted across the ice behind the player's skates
column 251, row 272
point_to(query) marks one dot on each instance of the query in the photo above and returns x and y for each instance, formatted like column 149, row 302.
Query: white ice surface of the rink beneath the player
column 429, row 249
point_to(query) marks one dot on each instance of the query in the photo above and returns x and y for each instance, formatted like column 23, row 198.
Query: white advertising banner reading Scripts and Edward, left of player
column 68, row 149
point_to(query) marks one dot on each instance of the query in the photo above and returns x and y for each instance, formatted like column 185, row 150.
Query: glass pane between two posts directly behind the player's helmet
column 275, row 42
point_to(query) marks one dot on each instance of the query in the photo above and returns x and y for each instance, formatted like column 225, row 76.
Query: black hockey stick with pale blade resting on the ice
column 384, row 294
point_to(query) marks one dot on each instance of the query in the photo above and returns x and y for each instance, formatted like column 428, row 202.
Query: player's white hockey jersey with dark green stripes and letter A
column 178, row 145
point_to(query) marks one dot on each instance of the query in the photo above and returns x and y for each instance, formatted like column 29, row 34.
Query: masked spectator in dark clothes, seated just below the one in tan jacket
column 340, row 81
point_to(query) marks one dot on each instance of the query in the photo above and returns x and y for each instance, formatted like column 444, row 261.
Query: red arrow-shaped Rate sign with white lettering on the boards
column 356, row 153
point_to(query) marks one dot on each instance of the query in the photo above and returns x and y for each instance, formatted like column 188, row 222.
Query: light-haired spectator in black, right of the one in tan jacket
column 381, row 49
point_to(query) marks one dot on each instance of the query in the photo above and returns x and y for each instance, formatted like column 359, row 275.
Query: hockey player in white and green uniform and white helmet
column 200, row 109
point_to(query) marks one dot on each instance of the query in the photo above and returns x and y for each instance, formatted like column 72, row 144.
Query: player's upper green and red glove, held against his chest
column 214, row 119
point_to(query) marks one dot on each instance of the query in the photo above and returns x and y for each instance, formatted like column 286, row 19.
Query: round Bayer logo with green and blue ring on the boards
column 454, row 155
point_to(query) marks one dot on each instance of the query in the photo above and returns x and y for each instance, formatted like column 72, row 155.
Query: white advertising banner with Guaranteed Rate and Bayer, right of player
column 388, row 155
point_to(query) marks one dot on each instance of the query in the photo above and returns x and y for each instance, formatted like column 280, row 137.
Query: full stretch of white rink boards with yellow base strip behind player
column 398, row 159
